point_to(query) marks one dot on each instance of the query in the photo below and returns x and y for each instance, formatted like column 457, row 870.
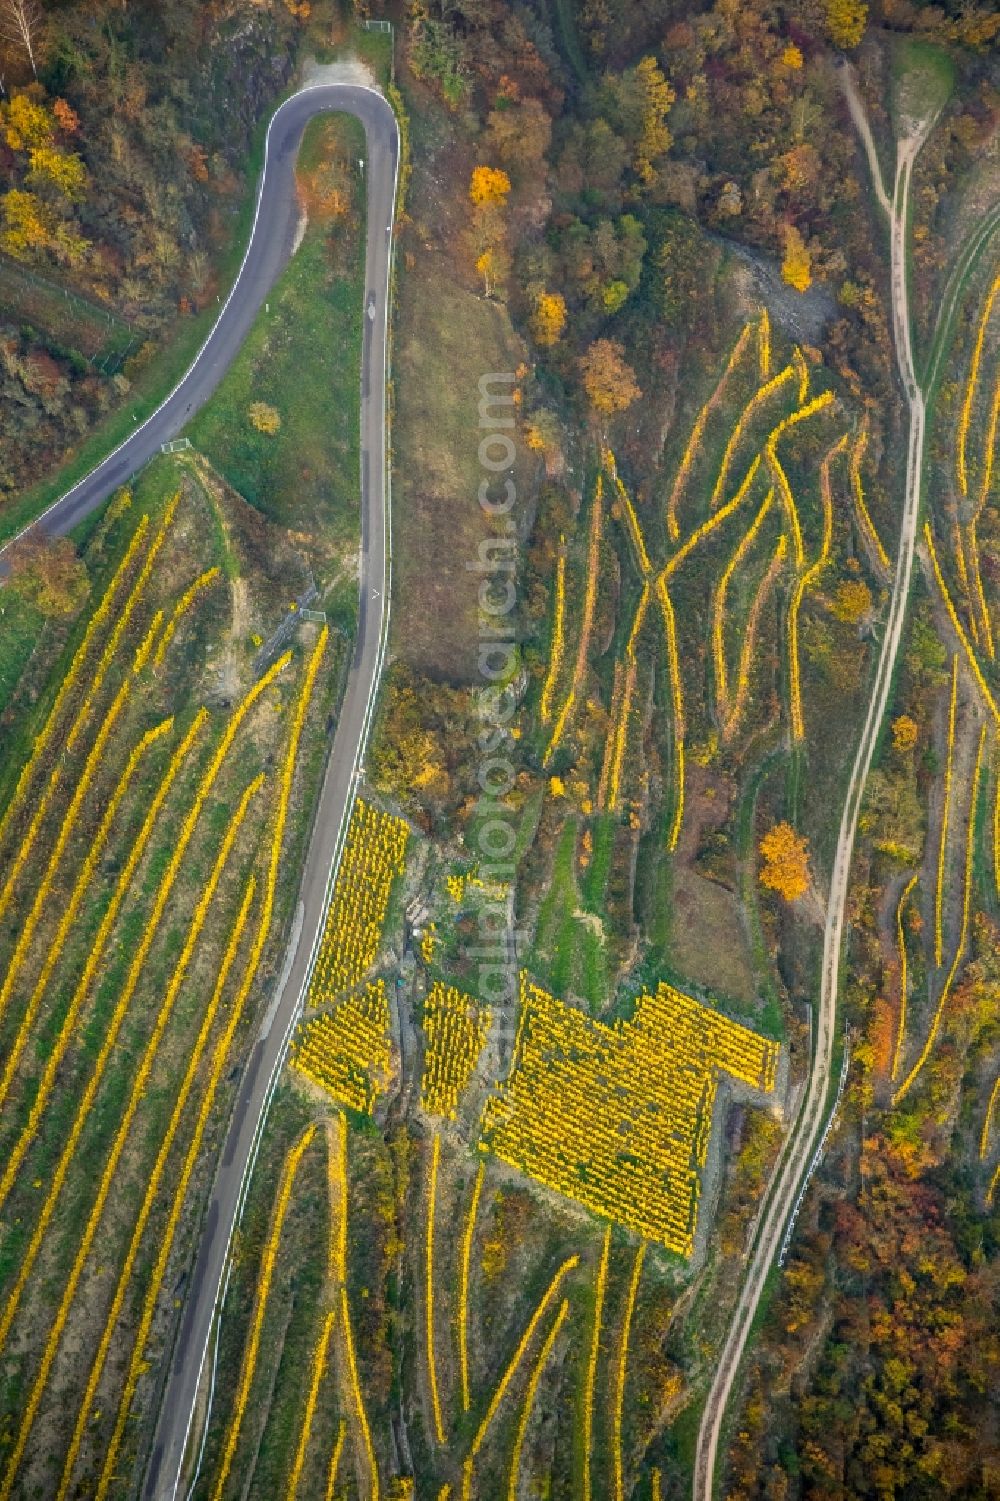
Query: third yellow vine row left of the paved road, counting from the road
column 122, row 1136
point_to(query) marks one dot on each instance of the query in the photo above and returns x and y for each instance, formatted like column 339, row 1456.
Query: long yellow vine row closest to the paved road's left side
column 236, row 1009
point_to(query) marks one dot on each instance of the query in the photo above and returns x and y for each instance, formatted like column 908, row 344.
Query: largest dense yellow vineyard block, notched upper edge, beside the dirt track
column 618, row 1117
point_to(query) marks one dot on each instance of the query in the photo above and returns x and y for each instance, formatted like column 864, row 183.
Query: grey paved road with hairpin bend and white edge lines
column 271, row 247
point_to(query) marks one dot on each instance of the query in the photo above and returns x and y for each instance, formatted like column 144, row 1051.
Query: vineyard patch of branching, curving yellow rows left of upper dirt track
column 752, row 519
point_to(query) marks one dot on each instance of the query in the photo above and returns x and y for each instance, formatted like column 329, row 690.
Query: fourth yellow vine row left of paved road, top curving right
column 118, row 1018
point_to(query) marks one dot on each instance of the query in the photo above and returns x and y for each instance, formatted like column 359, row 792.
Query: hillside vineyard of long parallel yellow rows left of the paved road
column 142, row 855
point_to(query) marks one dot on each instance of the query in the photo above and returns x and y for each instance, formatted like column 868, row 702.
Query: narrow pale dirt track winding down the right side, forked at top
column 809, row 1125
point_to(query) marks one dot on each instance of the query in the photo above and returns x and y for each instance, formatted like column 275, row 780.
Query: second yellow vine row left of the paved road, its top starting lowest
column 181, row 1104
